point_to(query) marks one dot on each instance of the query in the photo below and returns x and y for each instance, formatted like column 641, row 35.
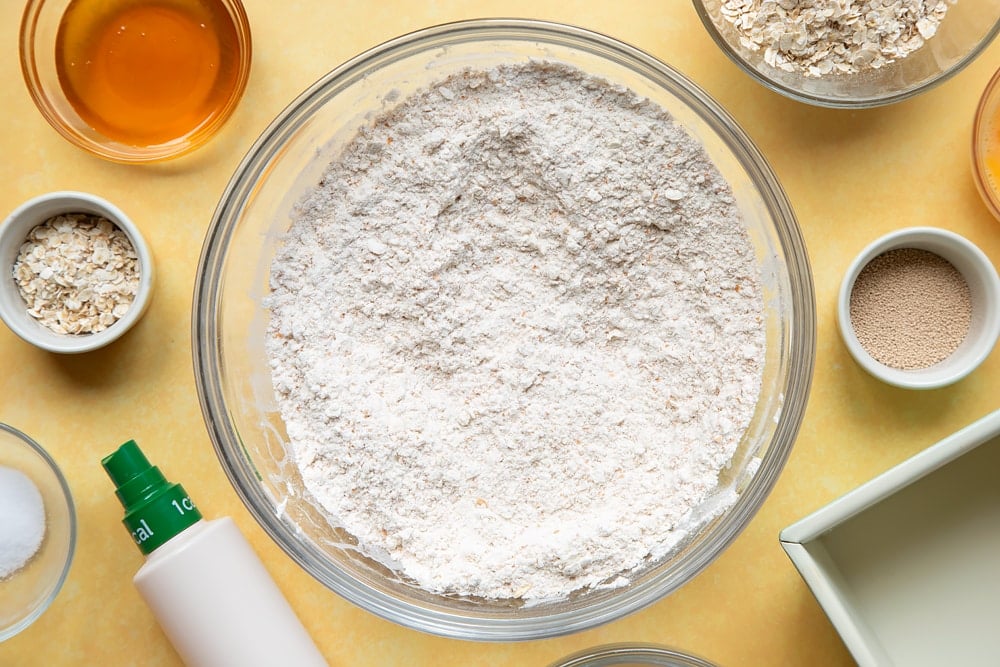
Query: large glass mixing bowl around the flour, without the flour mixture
column 230, row 320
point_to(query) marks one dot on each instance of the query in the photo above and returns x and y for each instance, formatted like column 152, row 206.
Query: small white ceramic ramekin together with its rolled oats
column 79, row 273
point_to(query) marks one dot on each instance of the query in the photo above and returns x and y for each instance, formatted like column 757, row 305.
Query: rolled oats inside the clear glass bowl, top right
column 823, row 37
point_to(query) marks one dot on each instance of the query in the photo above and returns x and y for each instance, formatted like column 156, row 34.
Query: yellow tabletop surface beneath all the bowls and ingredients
column 850, row 175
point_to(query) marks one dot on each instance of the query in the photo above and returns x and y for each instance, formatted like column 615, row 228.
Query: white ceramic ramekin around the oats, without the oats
column 15, row 229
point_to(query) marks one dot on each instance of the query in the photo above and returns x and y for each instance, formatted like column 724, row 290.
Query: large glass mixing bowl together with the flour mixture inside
column 468, row 308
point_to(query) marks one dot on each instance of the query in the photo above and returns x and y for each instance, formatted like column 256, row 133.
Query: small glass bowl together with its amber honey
column 136, row 80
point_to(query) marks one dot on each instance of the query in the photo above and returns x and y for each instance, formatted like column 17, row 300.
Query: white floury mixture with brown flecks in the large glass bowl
column 516, row 333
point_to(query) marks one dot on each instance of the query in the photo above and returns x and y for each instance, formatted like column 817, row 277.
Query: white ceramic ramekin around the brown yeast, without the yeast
column 984, row 286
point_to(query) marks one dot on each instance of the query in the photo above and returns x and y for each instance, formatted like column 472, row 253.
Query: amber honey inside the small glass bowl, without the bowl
column 146, row 72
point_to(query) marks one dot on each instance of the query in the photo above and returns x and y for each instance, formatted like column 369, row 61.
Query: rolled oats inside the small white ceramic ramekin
column 77, row 273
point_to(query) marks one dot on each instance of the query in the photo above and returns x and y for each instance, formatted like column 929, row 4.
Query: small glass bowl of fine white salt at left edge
column 37, row 531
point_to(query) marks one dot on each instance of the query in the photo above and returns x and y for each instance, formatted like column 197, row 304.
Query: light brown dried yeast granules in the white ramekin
column 910, row 308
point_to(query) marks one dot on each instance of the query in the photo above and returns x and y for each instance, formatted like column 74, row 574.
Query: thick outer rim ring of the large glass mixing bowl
column 207, row 355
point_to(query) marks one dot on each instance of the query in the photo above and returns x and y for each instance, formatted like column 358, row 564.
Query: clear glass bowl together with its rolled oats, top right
column 858, row 54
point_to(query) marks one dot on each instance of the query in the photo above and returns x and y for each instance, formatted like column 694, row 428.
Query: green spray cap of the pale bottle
column 155, row 509
